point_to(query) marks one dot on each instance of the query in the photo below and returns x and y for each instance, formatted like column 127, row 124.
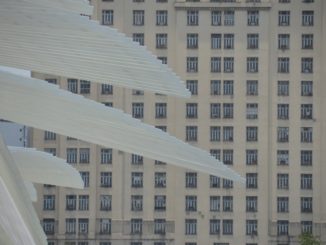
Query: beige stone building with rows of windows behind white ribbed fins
column 256, row 70
